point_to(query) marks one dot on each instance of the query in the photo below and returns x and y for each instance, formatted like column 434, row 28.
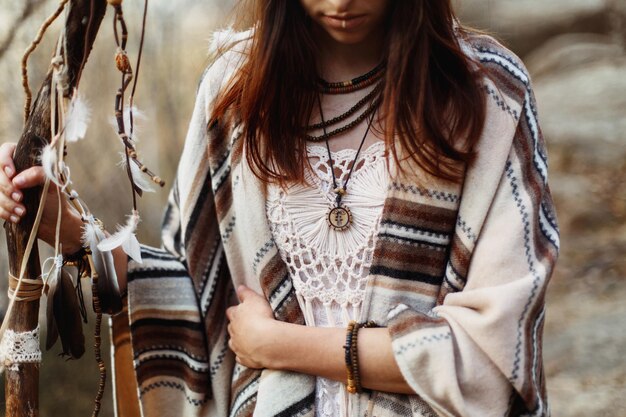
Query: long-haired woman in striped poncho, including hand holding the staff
column 412, row 198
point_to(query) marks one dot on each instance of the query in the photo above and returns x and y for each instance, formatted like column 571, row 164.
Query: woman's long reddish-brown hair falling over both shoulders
column 433, row 106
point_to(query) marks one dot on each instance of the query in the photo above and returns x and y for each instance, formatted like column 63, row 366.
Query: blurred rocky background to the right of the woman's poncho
column 574, row 50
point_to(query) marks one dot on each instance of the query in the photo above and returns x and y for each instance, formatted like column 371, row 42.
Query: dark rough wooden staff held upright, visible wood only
column 22, row 385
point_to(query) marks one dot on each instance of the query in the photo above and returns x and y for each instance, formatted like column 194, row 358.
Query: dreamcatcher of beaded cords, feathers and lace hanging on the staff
column 69, row 118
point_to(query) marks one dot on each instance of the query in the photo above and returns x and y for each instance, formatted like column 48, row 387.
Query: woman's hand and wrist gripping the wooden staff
column 11, row 208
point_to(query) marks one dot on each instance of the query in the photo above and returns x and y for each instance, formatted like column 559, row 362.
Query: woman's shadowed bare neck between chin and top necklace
column 340, row 61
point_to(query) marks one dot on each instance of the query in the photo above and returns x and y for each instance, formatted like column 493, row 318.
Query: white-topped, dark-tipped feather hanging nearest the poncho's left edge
column 108, row 288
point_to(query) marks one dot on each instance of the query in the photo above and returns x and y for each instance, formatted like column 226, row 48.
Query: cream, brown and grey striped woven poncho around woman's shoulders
column 458, row 277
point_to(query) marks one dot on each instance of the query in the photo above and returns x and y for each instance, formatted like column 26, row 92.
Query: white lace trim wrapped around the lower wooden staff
column 19, row 347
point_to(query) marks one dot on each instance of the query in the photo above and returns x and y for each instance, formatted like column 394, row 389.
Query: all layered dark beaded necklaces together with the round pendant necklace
column 339, row 216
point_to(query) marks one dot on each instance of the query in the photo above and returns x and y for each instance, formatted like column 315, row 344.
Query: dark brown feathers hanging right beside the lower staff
column 63, row 315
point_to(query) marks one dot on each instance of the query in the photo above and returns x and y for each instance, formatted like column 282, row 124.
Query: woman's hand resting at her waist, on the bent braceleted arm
column 253, row 330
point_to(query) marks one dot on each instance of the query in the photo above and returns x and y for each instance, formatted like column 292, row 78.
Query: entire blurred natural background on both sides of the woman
column 575, row 51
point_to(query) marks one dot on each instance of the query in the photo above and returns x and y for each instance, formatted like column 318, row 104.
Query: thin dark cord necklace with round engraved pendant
column 339, row 217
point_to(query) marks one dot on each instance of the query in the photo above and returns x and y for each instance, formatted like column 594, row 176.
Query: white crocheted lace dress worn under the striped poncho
column 329, row 268
